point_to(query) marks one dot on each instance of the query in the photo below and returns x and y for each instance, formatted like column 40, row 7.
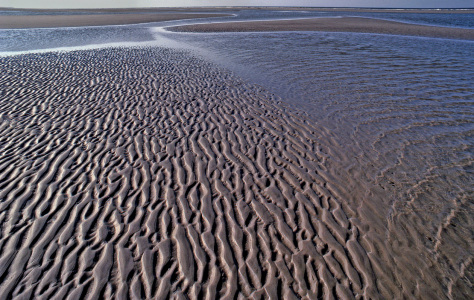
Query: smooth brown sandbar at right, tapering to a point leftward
column 344, row 24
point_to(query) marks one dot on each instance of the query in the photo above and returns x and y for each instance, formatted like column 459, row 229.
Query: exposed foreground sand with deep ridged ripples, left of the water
column 149, row 173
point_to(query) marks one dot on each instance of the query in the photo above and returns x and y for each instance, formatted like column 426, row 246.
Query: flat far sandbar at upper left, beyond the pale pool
column 48, row 21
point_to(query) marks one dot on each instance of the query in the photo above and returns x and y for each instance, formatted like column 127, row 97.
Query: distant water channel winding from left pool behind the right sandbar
column 47, row 38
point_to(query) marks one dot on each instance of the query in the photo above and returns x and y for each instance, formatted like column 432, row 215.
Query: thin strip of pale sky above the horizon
column 176, row 3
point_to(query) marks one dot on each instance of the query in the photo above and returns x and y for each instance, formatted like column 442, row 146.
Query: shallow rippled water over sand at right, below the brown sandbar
column 398, row 113
